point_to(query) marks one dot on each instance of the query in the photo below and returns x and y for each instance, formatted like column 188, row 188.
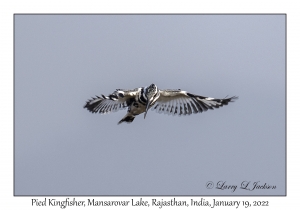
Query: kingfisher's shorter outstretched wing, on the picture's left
column 119, row 99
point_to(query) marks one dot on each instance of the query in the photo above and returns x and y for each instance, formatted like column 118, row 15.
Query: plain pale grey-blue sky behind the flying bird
column 63, row 60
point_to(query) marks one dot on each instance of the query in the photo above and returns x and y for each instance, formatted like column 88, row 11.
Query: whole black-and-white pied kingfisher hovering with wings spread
column 139, row 100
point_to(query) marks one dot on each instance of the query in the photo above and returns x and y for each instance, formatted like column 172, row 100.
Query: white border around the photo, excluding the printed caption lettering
column 8, row 8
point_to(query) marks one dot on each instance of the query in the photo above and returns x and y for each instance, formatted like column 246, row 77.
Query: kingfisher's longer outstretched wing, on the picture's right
column 178, row 102
